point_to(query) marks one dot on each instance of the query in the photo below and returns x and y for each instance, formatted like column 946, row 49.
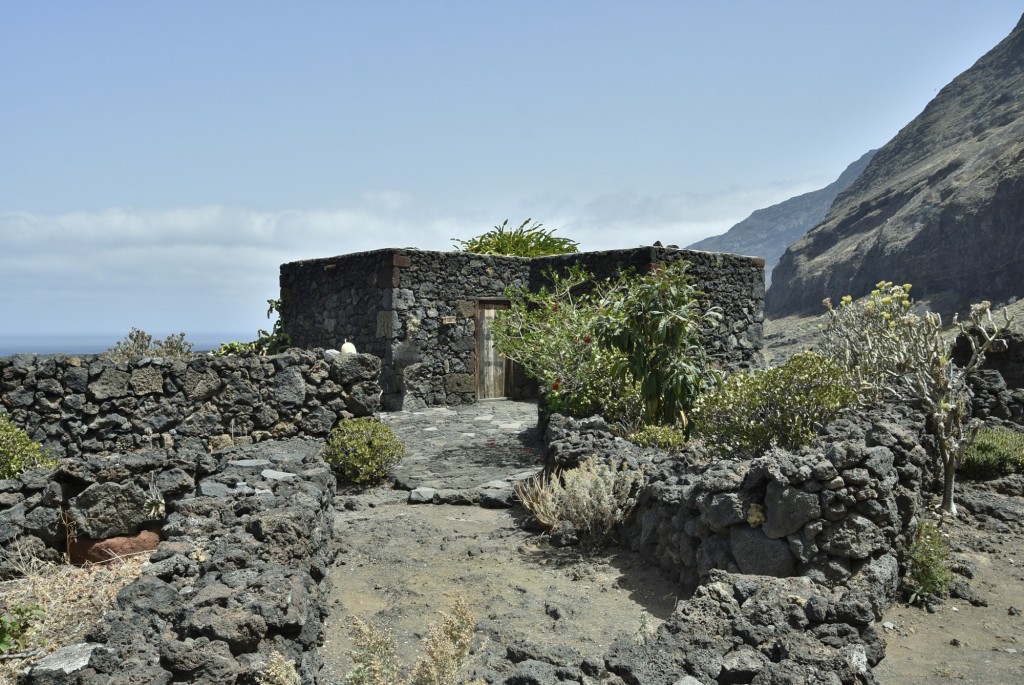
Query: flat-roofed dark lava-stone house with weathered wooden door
column 426, row 315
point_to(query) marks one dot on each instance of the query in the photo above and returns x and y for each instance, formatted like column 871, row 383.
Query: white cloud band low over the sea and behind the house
column 211, row 269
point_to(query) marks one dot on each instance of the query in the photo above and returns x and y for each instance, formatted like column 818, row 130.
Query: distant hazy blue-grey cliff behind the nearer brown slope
column 767, row 233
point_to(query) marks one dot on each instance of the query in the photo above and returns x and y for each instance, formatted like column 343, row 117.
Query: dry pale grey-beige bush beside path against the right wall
column 592, row 498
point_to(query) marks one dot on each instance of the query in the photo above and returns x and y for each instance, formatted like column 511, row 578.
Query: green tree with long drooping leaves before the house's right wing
column 656, row 323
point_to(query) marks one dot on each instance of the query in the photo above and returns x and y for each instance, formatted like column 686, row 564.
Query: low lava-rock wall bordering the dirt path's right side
column 791, row 558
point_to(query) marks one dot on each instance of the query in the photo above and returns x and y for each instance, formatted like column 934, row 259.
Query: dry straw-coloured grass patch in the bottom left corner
column 72, row 601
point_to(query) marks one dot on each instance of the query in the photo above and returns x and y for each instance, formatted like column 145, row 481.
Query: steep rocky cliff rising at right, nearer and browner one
column 941, row 206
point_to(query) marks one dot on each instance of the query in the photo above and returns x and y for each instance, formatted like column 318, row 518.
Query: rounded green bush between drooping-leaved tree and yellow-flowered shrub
column 783, row 406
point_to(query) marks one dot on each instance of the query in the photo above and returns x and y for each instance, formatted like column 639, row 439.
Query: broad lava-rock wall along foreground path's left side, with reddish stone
column 239, row 574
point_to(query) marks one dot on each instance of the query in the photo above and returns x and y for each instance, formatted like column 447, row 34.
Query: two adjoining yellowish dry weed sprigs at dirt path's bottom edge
column 447, row 653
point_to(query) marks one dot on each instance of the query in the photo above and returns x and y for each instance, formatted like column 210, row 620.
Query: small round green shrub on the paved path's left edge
column 363, row 451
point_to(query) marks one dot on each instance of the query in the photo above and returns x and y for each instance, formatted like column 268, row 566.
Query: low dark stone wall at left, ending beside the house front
column 91, row 405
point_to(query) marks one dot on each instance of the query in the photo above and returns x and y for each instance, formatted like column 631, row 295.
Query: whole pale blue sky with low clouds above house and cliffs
column 161, row 160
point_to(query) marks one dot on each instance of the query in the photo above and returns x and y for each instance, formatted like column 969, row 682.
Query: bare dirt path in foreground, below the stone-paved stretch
column 402, row 566
